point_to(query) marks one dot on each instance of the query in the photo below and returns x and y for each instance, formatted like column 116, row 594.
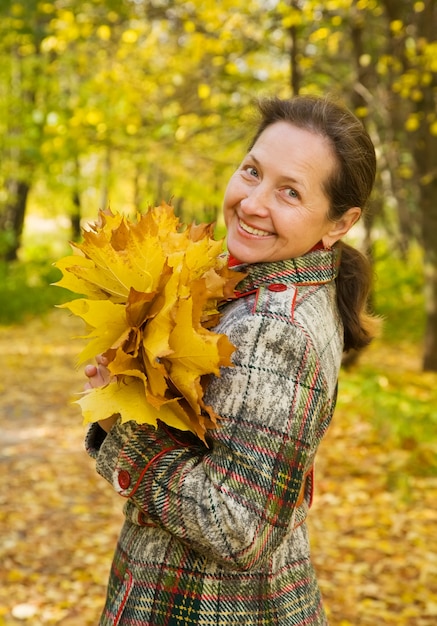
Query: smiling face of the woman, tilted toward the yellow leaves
column 275, row 206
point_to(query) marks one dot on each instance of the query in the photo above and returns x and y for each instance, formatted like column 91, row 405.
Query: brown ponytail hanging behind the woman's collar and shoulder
column 354, row 283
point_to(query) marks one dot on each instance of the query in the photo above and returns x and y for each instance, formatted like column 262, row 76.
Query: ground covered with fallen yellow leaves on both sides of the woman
column 373, row 523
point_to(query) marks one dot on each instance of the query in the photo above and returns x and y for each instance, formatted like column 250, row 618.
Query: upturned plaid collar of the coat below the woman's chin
column 314, row 268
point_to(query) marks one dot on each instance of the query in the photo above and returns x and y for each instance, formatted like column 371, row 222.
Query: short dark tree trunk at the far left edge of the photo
column 12, row 218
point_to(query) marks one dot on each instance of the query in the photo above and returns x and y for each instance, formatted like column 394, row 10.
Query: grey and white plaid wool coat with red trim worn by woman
column 216, row 535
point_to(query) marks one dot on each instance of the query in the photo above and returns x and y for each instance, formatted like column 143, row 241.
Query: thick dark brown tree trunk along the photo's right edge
column 413, row 29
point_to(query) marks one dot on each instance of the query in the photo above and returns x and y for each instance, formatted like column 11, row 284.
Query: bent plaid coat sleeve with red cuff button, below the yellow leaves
column 236, row 499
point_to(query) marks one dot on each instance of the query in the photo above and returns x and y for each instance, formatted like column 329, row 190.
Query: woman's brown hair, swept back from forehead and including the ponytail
column 349, row 185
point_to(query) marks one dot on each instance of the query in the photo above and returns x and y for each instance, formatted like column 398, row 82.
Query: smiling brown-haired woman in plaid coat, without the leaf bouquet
column 216, row 535
